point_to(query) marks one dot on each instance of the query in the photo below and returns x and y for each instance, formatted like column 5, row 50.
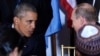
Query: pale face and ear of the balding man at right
column 77, row 22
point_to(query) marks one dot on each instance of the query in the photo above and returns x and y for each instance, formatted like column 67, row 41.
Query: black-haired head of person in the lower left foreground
column 9, row 39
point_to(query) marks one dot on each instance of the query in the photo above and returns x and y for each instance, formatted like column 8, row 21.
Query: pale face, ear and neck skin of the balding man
column 80, row 21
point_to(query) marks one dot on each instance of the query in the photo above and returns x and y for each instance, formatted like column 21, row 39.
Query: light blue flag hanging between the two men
column 55, row 24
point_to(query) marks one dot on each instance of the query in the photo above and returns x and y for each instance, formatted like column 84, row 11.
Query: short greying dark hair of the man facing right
column 22, row 8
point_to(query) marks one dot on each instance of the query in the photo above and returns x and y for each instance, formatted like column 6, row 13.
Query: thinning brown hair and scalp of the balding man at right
column 86, row 10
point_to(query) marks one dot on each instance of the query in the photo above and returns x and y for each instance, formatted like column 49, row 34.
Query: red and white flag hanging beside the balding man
column 67, row 6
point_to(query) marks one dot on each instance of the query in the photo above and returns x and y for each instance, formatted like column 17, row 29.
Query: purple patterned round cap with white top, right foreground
column 88, row 40
